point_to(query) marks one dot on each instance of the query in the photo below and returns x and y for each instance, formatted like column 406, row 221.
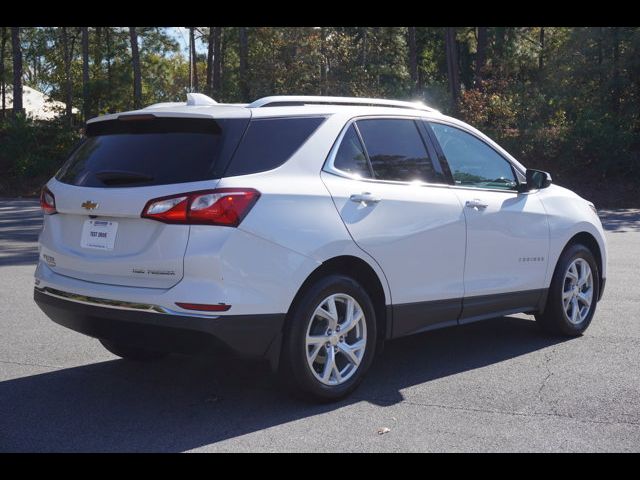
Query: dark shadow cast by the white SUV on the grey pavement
column 183, row 403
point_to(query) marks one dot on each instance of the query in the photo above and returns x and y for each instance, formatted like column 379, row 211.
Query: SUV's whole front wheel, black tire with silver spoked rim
column 573, row 294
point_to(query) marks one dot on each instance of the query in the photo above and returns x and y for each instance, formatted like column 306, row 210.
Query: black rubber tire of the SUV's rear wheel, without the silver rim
column 295, row 372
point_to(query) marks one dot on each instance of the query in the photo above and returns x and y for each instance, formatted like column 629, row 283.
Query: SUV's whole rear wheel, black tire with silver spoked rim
column 330, row 339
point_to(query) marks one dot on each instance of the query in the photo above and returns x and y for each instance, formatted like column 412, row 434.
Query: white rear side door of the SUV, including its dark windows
column 394, row 201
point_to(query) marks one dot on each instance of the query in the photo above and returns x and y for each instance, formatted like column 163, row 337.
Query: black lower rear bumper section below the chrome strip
column 247, row 335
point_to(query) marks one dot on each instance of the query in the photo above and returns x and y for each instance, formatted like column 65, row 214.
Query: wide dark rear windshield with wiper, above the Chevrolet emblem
column 157, row 151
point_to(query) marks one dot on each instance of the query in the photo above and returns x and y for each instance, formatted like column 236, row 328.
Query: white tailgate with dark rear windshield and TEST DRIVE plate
column 98, row 234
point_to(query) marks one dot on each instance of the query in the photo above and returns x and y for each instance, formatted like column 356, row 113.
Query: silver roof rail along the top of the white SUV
column 292, row 100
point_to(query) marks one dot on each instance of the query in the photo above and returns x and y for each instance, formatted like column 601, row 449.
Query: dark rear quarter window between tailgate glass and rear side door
column 269, row 142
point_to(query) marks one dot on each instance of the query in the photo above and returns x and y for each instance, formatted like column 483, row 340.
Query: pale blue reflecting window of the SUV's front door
column 473, row 162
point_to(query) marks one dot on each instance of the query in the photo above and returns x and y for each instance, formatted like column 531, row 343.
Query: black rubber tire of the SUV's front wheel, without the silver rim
column 555, row 320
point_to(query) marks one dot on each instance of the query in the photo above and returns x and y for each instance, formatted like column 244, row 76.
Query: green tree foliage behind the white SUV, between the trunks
column 563, row 99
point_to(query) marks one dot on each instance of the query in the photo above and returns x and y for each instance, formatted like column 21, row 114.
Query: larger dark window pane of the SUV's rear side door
column 396, row 150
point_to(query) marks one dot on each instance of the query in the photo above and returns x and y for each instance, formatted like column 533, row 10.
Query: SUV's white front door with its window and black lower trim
column 507, row 232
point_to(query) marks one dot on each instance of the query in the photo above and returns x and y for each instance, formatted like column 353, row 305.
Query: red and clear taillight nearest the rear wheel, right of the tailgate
column 223, row 206
